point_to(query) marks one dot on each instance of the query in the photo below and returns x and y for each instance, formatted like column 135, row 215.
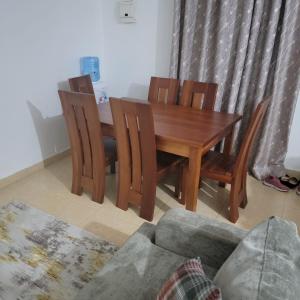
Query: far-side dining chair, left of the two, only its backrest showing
column 163, row 90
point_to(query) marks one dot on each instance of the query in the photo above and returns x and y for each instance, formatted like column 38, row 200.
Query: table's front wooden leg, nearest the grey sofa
column 192, row 177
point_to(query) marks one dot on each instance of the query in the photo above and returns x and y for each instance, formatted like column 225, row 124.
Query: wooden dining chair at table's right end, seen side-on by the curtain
column 231, row 170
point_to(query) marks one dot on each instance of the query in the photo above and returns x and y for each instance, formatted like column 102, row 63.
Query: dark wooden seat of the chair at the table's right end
column 216, row 165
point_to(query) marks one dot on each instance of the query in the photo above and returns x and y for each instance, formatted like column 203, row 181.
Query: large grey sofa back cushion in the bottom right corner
column 265, row 265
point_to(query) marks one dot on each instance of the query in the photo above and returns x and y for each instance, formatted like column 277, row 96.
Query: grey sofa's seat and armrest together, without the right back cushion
column 153, row 253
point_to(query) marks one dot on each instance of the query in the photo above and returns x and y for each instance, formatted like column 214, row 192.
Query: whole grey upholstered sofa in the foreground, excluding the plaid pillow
column 262, row 264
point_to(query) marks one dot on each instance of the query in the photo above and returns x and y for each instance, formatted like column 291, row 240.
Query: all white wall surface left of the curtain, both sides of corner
column 41, row 43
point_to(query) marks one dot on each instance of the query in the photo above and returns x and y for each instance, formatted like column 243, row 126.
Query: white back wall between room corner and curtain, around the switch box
column 135, row 52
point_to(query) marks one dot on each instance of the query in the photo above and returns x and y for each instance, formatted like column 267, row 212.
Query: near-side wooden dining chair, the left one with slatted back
column 90, row 154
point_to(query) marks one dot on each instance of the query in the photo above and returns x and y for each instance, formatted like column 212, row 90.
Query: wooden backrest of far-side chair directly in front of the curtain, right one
column 199, row 95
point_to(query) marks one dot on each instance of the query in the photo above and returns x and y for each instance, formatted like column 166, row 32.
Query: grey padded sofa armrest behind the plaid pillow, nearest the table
column 191, row 235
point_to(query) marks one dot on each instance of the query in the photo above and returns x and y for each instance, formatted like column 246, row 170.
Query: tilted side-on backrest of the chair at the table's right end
column 241, row 164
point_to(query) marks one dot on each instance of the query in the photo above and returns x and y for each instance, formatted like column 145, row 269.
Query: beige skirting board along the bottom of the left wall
column 36, row 167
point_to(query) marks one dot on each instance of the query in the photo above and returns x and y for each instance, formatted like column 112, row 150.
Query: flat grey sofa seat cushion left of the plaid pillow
column 136, row 271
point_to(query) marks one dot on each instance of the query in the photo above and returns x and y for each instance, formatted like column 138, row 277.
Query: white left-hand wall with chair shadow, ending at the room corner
column 41, row 42
